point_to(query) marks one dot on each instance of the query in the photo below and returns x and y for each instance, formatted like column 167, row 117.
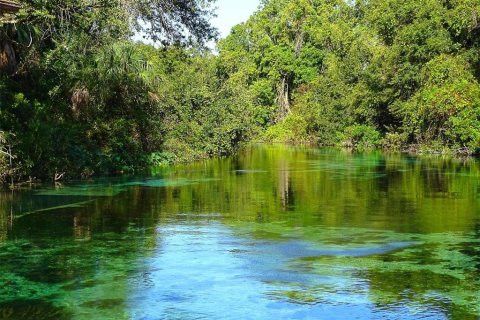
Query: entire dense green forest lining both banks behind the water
column 79, row 97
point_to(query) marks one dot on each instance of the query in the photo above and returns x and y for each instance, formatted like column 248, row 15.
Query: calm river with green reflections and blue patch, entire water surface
column 273, row 233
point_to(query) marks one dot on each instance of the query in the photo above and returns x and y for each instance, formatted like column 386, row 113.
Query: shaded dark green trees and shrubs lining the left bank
column 86, row 99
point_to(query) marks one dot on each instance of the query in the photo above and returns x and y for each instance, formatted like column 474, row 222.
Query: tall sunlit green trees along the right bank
column 410, row 69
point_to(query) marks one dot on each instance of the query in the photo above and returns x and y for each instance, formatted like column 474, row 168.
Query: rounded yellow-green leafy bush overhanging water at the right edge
column 447, row 108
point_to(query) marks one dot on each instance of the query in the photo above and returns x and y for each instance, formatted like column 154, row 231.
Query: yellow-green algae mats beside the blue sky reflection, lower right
column 430, row 269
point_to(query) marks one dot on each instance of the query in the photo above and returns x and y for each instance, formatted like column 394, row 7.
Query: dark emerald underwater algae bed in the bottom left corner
column 77, row 277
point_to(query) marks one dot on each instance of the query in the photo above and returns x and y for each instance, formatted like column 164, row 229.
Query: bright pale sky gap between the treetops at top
column 233, row 12
